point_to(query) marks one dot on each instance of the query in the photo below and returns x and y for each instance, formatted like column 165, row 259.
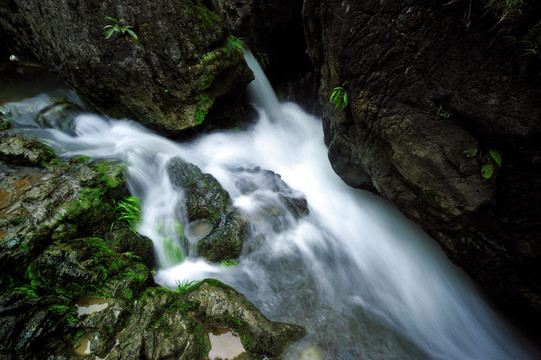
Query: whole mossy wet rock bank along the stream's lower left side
column 53, row 269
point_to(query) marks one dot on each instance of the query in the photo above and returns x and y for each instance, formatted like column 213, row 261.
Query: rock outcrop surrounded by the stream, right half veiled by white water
column 278, row 206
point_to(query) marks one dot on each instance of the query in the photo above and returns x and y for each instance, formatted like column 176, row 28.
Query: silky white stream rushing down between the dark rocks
column 365, row 282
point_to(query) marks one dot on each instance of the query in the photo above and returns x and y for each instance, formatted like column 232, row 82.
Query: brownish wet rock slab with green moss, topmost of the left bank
column 38, row 206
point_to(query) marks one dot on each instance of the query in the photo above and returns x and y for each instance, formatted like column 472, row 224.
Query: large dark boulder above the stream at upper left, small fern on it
column 168, row 79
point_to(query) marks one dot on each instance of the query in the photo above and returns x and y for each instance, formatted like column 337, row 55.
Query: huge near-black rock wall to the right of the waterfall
column 427, row 81
